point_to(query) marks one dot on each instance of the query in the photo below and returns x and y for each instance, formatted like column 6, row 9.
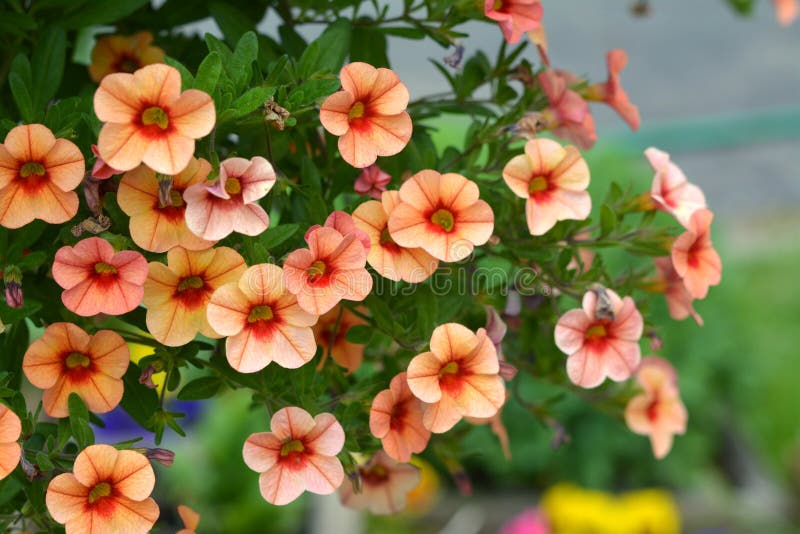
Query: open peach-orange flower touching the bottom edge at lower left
column 107, row 491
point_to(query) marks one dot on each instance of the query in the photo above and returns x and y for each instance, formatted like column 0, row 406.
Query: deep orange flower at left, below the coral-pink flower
column 68, row 360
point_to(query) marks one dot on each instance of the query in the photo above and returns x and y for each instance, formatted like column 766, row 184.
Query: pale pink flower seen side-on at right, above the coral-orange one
column 671, row 191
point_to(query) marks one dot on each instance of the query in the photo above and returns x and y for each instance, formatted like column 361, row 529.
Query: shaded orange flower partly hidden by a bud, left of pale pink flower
column 156, row 227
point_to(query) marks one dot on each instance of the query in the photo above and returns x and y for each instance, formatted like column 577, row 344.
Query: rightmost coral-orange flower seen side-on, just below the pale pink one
column 694, row 257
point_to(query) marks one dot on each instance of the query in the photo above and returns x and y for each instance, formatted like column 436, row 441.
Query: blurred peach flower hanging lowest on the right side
column 658, row 411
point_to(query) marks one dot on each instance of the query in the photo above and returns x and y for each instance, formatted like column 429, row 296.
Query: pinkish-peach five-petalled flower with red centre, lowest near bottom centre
column 299, row 454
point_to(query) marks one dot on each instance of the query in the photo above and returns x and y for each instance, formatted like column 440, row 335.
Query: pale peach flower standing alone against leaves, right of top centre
column 553, row 179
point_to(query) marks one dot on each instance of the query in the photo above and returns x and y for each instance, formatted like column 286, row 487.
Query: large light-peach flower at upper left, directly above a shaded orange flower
column 148, row 120
